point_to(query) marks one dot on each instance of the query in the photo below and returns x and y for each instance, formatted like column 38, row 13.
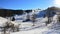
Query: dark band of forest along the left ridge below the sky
column 10, row 12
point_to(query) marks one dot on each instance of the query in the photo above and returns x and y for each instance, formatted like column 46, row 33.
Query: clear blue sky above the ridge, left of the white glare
column 25, row 4
